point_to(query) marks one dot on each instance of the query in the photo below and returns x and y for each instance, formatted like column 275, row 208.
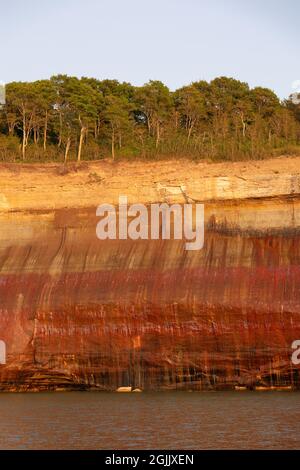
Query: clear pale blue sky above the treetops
column 176, row 41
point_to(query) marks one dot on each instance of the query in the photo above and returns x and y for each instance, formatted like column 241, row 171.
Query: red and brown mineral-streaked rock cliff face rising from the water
column 80, row 313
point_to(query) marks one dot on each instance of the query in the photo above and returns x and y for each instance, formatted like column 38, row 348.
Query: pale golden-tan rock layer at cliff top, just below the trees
column 38, row 187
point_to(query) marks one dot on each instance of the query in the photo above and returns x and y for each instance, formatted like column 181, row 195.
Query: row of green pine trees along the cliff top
column 67, row 118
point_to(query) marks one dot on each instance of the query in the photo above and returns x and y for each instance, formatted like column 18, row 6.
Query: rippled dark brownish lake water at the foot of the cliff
column 241, row 420
